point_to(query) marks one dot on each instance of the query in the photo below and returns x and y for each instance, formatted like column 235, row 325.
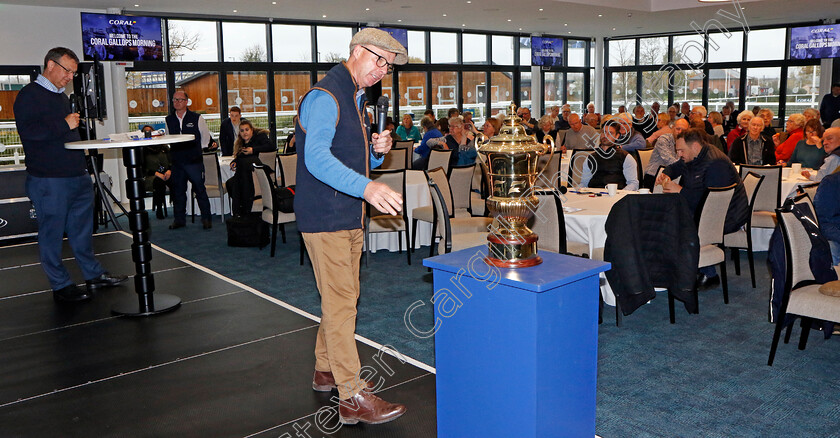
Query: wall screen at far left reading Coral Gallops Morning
column 121, row 38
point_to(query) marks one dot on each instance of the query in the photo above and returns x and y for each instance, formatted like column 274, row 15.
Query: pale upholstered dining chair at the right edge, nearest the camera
column 801, row 296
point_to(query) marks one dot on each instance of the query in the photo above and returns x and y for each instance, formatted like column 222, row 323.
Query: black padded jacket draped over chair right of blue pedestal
column 662, row 250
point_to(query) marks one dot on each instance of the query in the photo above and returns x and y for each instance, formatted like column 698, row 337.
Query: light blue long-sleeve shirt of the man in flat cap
column 319, row 117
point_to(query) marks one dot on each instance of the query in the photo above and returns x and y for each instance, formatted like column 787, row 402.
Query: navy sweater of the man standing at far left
column 39, row 116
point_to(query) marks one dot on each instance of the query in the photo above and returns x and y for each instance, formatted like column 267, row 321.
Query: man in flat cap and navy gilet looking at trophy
column 334, row 157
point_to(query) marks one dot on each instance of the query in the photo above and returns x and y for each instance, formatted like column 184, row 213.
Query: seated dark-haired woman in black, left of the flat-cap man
column 246, row 149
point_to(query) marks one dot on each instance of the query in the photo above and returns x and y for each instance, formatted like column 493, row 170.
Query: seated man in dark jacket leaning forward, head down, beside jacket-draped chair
column 702, row 166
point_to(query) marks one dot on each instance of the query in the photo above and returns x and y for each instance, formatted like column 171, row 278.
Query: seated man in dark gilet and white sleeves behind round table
column 612, row 164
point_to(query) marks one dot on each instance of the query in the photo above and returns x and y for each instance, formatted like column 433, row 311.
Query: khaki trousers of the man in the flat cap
column 335, row 259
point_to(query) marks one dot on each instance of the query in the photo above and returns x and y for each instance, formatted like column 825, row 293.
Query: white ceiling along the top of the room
column 569, row 17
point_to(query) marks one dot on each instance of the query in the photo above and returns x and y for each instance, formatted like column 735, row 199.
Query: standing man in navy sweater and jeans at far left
column 58, row 182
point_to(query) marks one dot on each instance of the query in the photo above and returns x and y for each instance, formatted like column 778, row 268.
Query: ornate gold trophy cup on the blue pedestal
column 509, row 160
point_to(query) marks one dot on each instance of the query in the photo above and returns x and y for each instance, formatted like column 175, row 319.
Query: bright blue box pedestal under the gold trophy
column 516, row 351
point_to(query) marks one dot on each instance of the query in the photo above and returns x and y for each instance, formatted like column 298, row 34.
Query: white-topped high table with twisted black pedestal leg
column 141, row 250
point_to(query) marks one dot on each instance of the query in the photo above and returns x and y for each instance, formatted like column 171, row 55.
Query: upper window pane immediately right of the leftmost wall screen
column 192, row 41
